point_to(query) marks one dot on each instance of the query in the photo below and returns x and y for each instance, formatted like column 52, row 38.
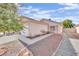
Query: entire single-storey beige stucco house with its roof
column 33, row 27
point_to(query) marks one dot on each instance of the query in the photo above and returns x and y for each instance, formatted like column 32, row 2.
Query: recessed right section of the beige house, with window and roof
column 54, row 27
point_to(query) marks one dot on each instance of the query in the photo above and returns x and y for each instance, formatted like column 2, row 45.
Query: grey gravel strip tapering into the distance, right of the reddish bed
column 66, row 48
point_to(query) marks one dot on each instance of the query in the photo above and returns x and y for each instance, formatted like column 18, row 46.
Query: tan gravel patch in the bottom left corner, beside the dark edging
column 13, row 48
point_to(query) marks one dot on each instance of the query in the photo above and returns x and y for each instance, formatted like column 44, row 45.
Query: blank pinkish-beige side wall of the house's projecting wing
column 36, row 28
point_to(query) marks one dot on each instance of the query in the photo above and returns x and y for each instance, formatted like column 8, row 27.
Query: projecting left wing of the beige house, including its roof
column 33, row 27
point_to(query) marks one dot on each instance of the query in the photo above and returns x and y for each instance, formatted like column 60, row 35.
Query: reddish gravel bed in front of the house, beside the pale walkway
column 47, row 46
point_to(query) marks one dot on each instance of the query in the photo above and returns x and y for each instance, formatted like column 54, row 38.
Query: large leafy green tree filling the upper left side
column 9, row 18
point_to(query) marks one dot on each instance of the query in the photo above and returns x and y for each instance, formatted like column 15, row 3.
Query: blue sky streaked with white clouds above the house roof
column 54, row 11
